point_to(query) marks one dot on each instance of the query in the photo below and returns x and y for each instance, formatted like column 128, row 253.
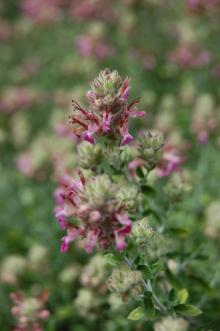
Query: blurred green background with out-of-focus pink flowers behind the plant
column 49, row 52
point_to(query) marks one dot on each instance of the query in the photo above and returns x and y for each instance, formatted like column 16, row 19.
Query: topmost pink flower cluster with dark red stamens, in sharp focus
column 108, row 111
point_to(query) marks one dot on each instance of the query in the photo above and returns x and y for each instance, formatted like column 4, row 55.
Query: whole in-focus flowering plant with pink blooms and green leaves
column 111, row 199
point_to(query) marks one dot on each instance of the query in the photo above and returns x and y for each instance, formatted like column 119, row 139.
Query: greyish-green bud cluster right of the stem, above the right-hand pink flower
column 150, row 148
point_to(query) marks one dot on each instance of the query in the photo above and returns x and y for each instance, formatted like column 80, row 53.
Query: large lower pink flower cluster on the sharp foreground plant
column 94, row 203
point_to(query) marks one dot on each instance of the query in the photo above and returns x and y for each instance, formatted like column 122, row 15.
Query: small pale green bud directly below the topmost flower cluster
column 90, row 156
